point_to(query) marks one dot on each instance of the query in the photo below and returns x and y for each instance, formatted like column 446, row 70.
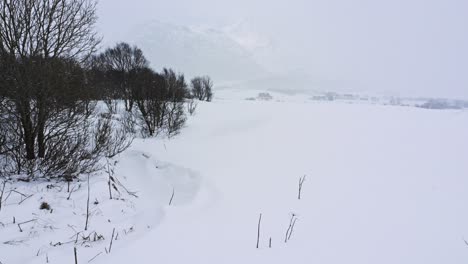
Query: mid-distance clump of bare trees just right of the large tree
column 156, row 99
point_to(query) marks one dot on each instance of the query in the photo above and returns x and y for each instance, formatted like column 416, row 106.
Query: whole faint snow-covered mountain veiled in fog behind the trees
column 235, row 56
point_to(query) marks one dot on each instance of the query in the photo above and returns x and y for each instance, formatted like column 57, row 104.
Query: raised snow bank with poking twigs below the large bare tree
column 50, row 235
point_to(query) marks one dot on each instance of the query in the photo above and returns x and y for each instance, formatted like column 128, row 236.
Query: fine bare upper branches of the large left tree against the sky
column 48, row 28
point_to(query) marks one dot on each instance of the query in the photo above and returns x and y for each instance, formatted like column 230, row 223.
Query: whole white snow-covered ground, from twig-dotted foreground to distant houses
column 384, row 184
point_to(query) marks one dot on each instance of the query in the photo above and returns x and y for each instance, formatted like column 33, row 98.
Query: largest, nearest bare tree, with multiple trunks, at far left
column 44, row 43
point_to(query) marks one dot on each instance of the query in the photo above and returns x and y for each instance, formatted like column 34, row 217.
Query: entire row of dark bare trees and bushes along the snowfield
column 54, row 84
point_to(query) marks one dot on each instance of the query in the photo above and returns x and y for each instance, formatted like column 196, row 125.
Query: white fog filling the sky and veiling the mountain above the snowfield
column 401, row 48
